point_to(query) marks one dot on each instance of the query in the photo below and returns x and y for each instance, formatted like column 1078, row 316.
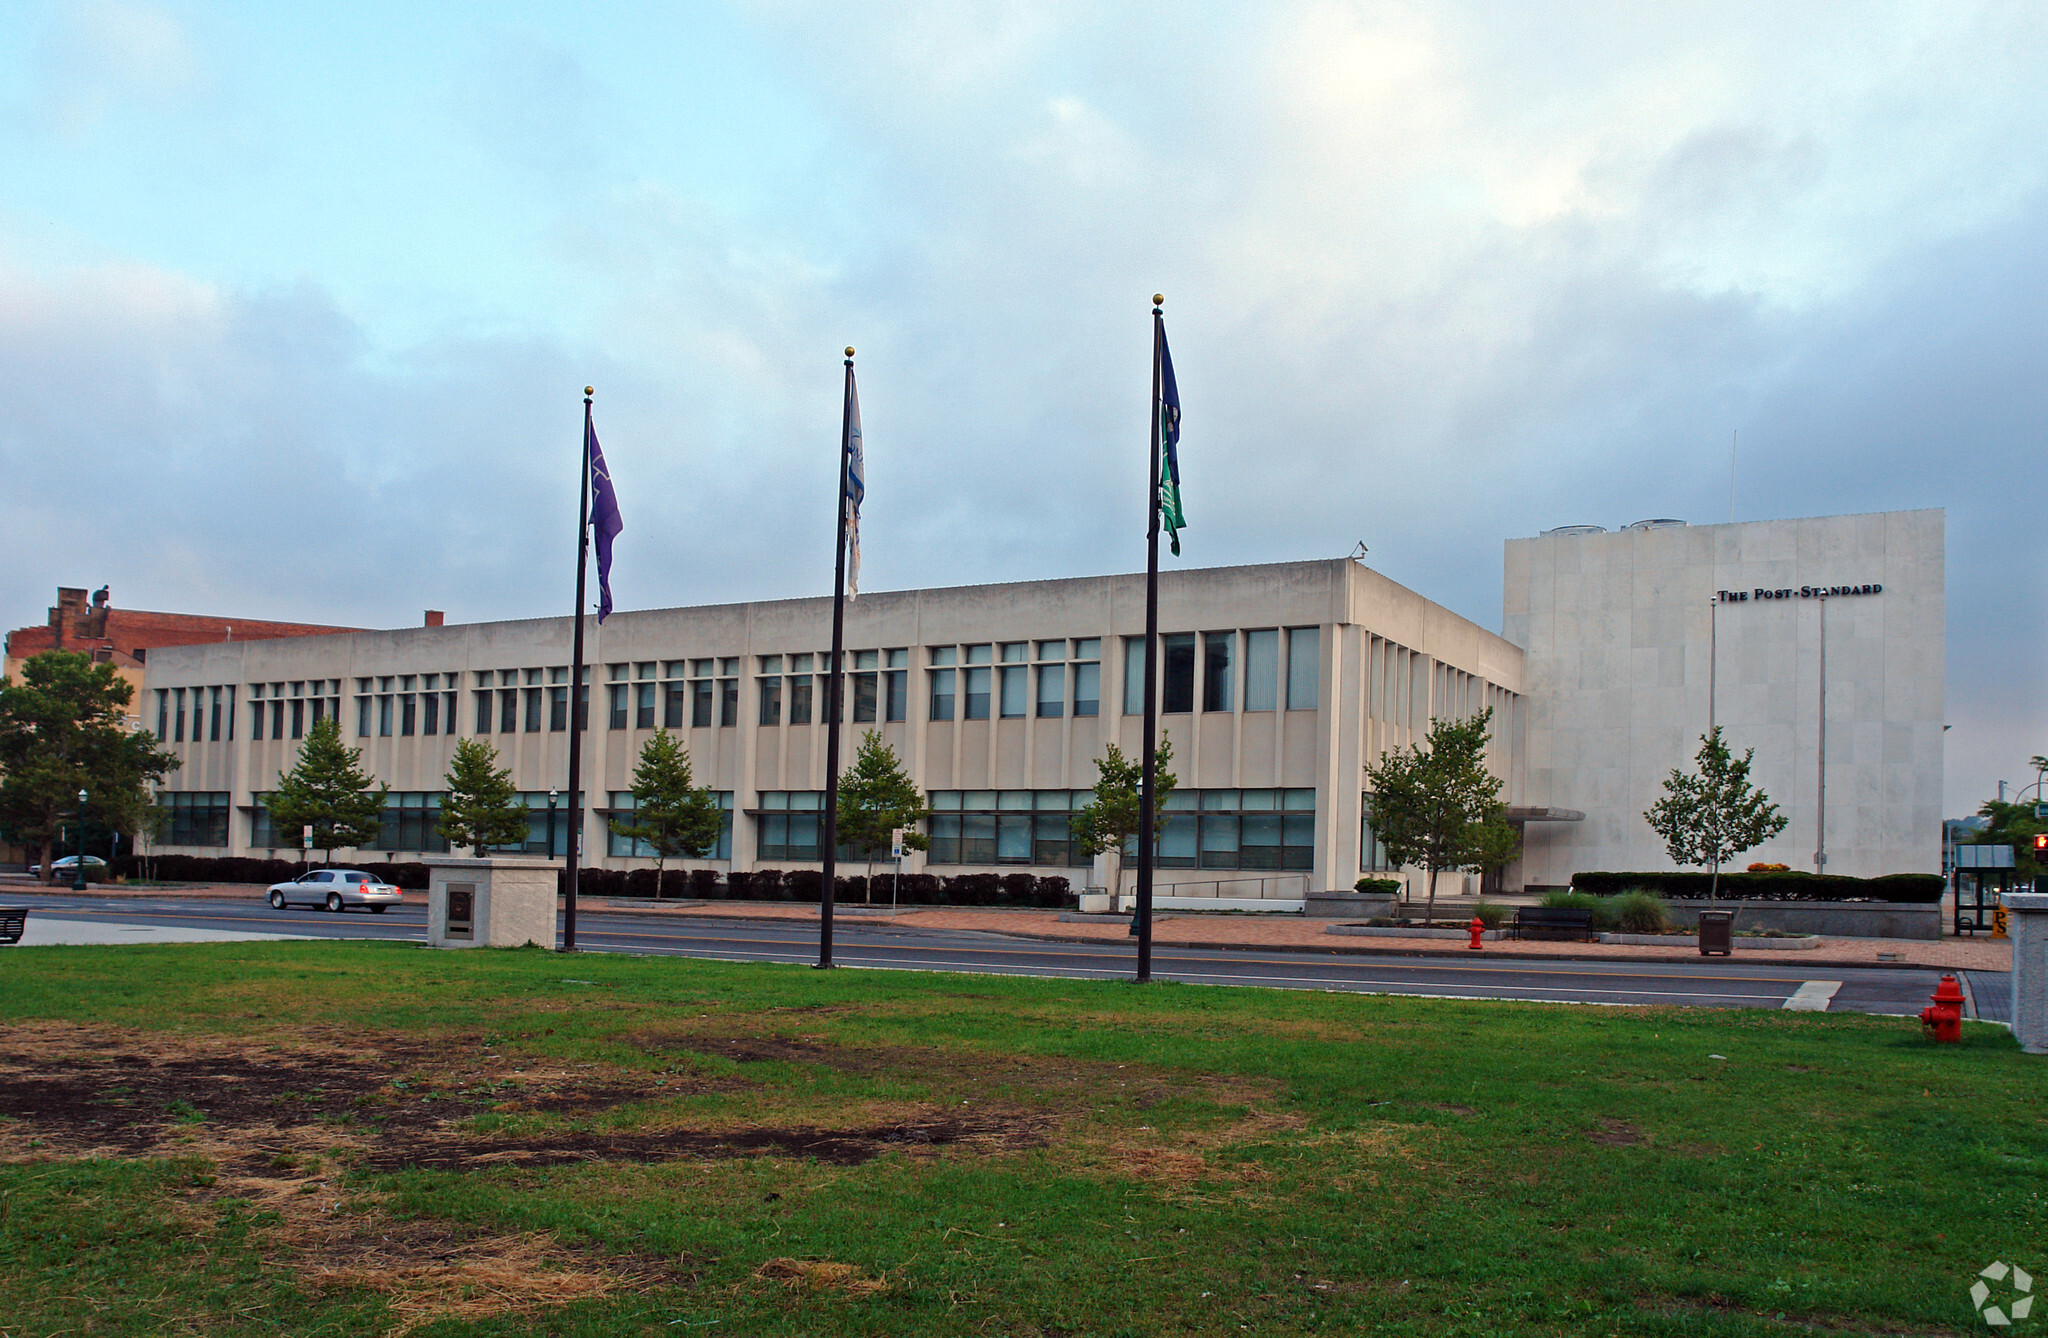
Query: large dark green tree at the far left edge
column 65, row 730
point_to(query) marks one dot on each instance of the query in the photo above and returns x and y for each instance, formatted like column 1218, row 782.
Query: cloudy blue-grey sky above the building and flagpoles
column 298, row 302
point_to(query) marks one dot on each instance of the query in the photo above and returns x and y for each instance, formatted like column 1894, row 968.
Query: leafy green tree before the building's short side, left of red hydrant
column 1437, row 806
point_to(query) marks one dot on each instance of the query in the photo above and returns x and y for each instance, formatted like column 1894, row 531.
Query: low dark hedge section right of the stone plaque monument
column 804, row 886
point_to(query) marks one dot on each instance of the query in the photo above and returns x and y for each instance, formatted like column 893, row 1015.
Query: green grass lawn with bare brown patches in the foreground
column 351, row 1138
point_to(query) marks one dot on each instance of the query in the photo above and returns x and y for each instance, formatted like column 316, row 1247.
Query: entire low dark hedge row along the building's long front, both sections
column 683, row 884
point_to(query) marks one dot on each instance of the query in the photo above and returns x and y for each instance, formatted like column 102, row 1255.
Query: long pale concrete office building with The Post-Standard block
column 1279, row 683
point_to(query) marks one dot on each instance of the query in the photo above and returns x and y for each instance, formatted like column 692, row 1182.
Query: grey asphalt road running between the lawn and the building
column 898, row 948
